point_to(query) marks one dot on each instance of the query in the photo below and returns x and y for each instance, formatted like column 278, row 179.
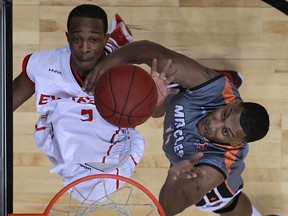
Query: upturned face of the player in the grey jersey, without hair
column 223, row 125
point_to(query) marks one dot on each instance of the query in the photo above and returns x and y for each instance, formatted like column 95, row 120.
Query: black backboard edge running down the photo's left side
column 6, row 113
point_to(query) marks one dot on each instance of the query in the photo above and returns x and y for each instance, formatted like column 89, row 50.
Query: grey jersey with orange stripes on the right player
column 182, row 139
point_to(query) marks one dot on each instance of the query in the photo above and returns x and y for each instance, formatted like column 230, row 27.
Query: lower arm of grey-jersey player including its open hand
column 186, row 185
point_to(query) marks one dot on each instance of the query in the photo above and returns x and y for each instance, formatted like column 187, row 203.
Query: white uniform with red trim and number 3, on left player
column 70, row 131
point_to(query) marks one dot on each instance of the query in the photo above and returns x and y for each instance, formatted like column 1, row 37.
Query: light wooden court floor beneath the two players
column 244, row 35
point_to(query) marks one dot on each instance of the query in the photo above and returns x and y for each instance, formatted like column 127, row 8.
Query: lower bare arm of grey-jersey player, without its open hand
column 180, row 193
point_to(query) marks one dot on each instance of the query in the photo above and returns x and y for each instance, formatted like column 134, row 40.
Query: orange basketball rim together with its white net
column 130, row 199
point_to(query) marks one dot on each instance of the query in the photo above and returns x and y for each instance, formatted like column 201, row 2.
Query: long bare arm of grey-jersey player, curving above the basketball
column 191, row 73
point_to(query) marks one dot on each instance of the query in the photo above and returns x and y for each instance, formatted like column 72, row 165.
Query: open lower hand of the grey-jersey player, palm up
column 185, row 169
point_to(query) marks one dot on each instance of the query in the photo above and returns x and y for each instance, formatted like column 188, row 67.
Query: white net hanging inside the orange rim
column 128, row 200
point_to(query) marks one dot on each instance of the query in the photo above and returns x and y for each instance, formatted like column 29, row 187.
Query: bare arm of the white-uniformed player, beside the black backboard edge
column 23, row 89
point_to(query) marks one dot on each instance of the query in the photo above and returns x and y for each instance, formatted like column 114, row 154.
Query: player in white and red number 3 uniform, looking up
column 70, row 131
